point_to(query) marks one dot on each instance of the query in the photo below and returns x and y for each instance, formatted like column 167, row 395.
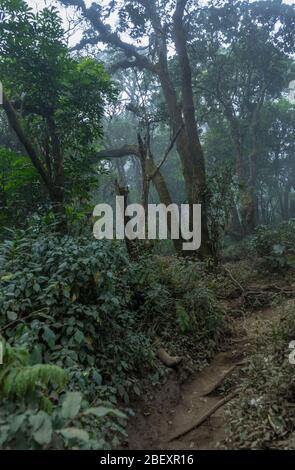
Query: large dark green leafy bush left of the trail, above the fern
column 75, row 293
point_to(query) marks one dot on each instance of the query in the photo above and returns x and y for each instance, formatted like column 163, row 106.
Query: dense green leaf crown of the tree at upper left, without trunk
column 49, row 84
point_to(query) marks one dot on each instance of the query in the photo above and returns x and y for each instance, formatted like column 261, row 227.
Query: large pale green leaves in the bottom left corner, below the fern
column 82, row 427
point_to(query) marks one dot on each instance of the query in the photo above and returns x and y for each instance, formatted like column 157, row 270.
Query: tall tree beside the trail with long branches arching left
column 163, row 25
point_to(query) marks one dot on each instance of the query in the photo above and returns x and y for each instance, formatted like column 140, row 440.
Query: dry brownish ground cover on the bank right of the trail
column 263, row 416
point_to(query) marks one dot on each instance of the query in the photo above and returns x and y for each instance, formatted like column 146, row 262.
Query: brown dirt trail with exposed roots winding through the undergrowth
column 163, row 422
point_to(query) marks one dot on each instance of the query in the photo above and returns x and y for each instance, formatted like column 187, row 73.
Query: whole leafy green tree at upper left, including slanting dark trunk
column 53, row 103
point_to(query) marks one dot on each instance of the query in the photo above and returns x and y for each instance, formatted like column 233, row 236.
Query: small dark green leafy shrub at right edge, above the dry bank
column 276, row 246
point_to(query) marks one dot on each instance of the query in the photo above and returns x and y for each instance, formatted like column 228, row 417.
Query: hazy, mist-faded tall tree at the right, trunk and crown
column 241, row 51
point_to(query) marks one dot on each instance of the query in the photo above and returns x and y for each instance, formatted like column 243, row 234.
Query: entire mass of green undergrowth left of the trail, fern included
column 81, row 324
